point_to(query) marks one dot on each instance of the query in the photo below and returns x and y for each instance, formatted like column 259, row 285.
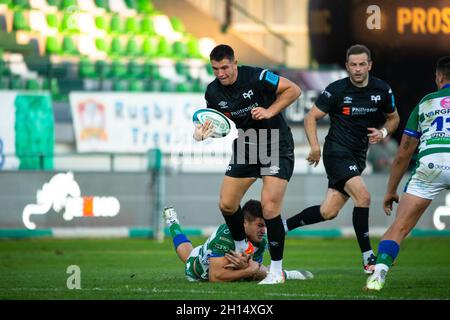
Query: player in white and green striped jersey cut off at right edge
column 429, row 128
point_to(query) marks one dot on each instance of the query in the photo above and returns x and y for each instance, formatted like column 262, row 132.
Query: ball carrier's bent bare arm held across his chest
column 287, row 93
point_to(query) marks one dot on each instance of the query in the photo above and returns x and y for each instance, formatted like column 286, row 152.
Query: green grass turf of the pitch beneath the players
column 144, row 269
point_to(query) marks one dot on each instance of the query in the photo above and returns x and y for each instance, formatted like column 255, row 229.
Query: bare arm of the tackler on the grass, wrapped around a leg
column 218, row 272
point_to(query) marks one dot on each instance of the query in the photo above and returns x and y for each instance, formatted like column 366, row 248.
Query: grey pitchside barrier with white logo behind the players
column 129, row 204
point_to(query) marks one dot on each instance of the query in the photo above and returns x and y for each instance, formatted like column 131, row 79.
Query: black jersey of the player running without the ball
column 352, row 110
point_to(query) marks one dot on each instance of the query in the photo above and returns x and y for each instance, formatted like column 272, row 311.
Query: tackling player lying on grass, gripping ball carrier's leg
column 216, row 260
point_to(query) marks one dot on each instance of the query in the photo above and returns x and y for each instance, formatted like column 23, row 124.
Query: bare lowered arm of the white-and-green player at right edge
column 404, row 154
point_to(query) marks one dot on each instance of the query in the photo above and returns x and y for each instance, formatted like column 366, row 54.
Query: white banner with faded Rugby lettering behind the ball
column 137, row 122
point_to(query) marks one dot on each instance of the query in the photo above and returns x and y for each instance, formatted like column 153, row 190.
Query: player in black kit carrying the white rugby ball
column 253, row 98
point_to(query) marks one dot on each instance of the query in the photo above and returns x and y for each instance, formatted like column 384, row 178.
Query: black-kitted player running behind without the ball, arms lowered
column 353, row 104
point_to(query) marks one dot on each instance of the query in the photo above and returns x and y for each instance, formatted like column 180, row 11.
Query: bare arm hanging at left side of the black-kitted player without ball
column 310, row 121
